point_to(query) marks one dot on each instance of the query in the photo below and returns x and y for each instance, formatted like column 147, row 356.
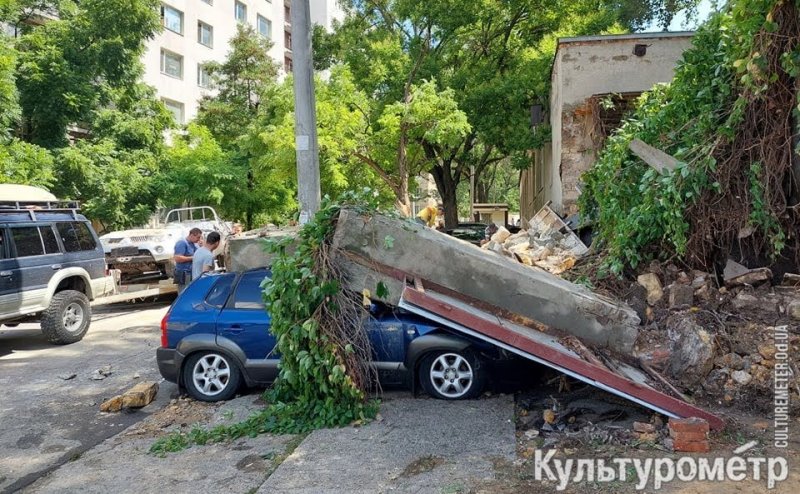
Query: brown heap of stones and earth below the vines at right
column 719, row 340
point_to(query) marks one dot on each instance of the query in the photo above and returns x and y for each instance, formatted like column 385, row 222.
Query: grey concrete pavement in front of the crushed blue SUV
column 418, row 445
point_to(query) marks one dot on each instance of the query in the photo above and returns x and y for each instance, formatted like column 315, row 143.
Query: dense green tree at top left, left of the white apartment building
column 70, row 66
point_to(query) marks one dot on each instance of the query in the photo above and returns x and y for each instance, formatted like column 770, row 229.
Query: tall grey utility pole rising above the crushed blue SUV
column 305, row 126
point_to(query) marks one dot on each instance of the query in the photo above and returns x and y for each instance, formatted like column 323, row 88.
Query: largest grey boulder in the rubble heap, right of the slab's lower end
column 691, row 349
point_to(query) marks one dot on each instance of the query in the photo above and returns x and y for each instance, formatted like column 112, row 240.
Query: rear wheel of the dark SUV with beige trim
column 67, row 318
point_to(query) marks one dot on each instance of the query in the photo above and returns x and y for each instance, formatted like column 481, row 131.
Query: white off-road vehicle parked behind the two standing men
column 149, row 251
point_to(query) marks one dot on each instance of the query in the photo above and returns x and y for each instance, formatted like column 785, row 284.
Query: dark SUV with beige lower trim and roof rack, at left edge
column 51, row 265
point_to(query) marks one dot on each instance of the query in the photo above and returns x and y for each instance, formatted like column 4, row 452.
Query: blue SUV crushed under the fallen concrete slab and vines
column 216, row 337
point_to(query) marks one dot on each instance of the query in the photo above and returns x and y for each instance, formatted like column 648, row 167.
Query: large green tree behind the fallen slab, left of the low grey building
column 495, row 56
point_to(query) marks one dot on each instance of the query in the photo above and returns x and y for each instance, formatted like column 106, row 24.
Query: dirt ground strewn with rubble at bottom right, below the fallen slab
column 594, row 424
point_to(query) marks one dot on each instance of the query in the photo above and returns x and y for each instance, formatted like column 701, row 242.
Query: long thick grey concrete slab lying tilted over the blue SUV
column 386, row 246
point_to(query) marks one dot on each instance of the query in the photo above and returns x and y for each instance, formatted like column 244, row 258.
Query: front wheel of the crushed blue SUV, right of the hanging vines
column 452, row 375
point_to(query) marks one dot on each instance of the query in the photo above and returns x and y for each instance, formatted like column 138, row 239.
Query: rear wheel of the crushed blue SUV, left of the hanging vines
column 211, row 376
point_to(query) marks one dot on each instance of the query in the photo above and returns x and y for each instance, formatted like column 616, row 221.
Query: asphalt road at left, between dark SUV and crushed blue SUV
column 47, row 417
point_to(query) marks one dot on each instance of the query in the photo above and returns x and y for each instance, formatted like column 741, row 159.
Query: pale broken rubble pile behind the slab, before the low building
column 548, row 243
